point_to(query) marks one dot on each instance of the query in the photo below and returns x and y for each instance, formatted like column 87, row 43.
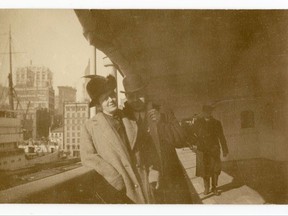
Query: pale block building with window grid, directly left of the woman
column 75, row 114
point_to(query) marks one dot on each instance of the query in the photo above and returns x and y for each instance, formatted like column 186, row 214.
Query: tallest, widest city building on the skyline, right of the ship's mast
column 33, row 86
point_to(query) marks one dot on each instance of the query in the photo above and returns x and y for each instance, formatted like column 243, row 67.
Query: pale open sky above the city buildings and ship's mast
column 50, row 38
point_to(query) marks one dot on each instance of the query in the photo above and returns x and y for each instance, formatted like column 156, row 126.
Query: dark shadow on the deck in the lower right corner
column 267, row 177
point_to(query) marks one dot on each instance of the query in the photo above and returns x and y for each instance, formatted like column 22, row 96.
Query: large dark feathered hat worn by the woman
column 99, row 85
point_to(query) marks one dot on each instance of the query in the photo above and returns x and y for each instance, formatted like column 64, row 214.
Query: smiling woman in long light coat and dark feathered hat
column 107, row 146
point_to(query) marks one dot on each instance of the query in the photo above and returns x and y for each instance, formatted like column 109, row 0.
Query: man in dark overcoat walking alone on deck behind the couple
column 210, row 136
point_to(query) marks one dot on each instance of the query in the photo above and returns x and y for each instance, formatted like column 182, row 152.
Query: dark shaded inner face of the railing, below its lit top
column 89, row 188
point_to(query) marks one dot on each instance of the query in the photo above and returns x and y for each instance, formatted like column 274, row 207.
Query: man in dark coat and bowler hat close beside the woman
column 158, row 125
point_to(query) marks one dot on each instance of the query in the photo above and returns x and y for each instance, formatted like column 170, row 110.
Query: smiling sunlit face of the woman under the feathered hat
column 108, row 102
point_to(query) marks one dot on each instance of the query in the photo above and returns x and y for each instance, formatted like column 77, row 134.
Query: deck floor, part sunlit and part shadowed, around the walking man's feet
column 254, row 181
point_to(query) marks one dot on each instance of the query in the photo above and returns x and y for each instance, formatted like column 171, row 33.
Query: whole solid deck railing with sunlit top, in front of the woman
column 80, row 185
